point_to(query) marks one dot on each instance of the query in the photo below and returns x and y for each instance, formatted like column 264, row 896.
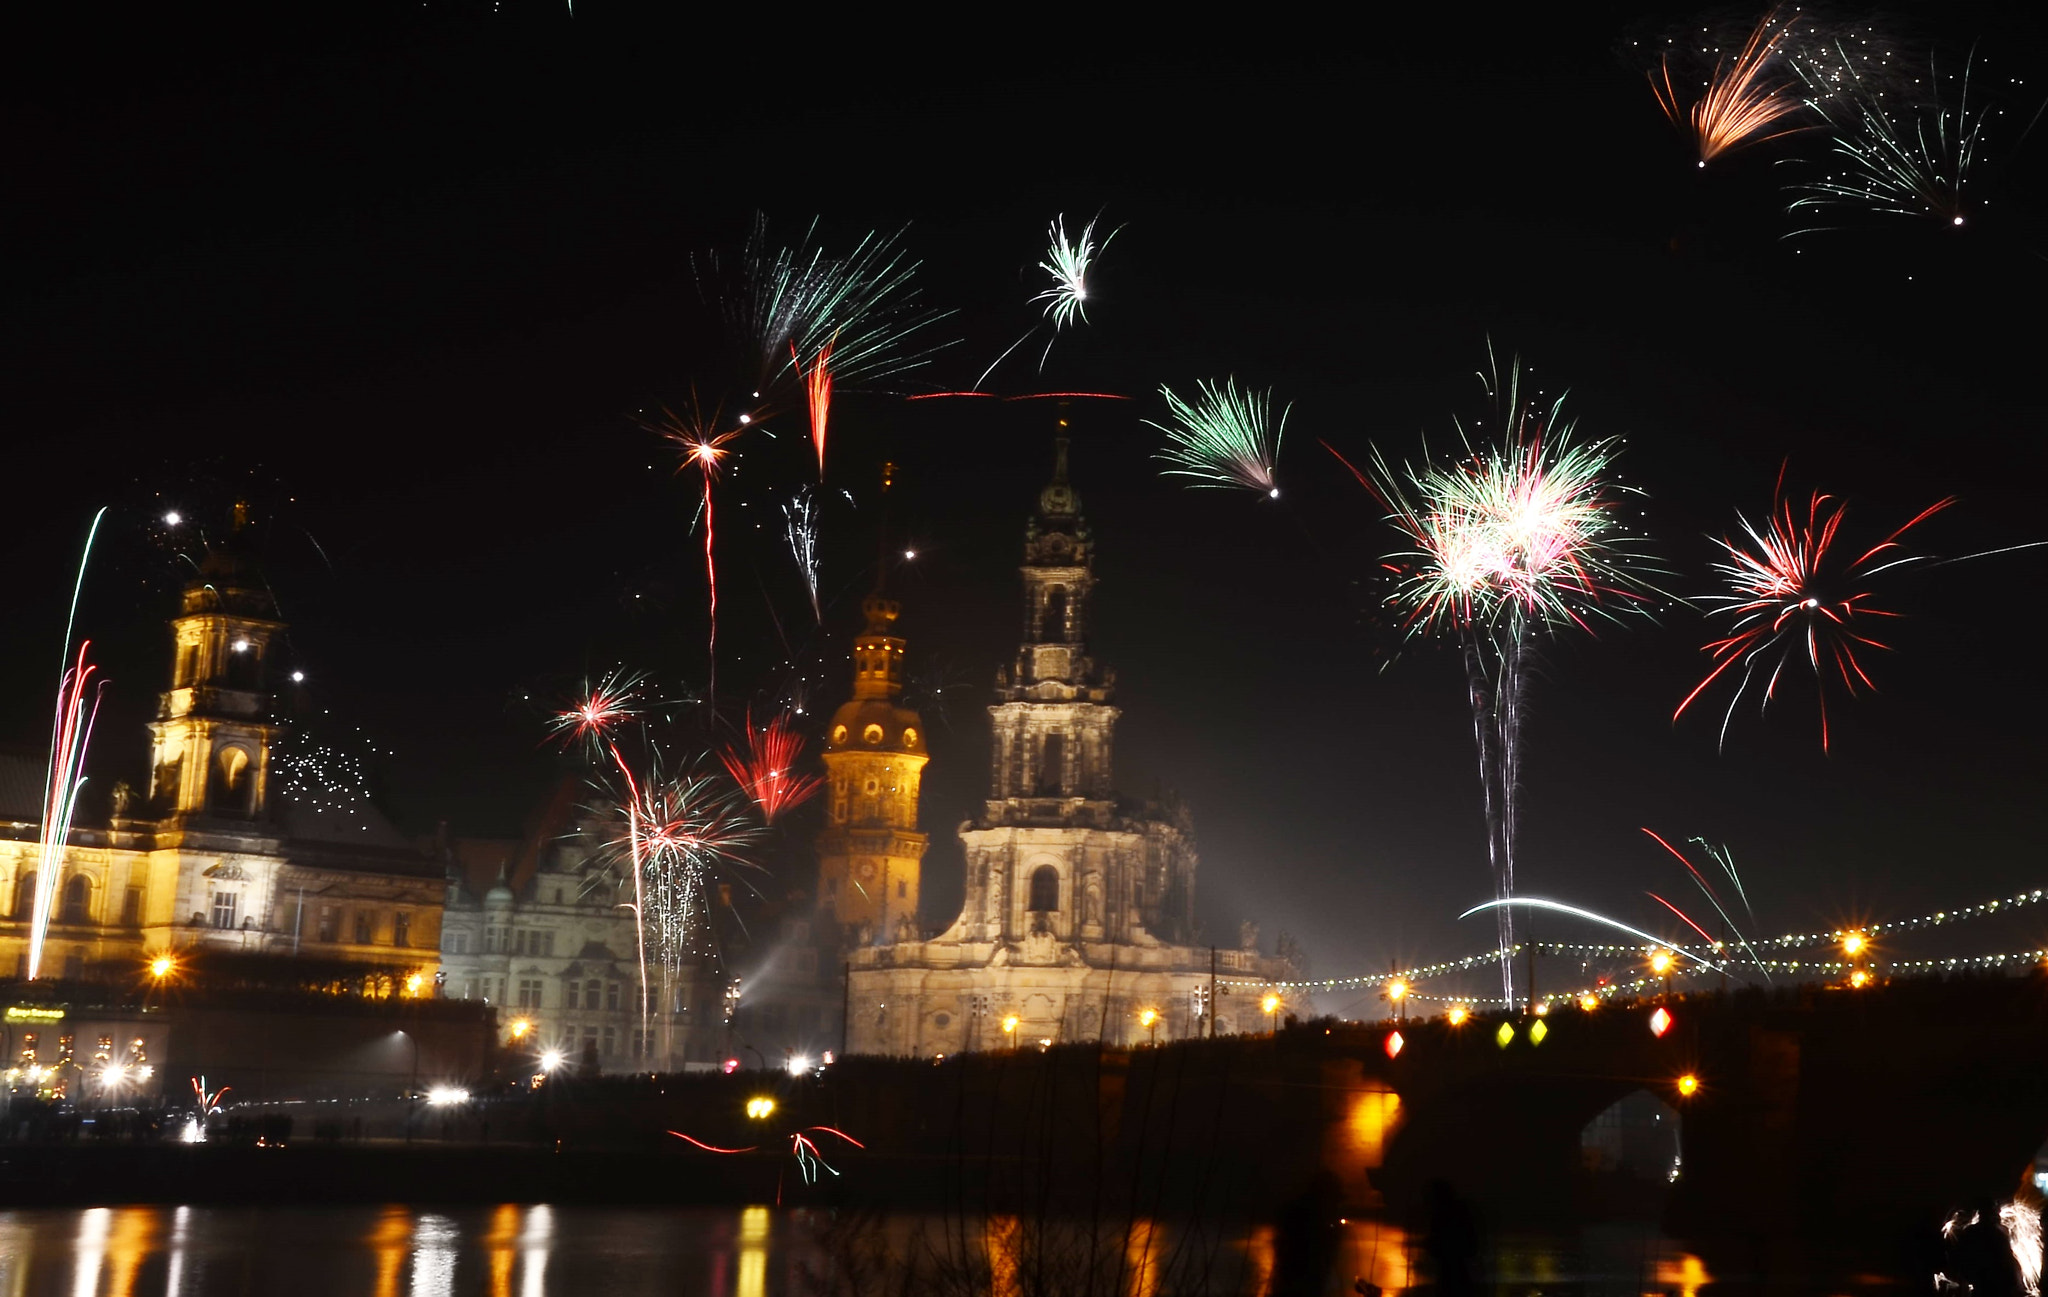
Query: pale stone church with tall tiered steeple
column 1080, row 905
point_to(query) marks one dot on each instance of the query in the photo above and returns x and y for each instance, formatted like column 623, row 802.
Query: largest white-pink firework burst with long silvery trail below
column 1510, row 540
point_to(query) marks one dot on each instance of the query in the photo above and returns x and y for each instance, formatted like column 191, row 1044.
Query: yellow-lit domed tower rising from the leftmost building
column 212, row 737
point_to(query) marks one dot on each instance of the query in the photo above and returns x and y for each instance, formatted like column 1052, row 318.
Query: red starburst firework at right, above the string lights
column 1787, row 595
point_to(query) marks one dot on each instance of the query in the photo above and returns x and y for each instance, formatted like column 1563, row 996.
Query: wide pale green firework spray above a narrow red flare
column 790, row 302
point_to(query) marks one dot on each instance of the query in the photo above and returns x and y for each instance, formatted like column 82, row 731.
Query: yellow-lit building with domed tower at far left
column 216, row 855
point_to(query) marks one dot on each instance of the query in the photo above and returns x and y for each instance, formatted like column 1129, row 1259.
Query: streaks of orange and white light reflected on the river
column 703, row 1253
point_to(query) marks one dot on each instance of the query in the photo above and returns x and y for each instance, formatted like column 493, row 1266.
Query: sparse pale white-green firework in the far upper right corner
column 1897, row 159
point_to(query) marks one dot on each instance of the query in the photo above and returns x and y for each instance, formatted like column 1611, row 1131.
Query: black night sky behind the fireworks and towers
column 411, row 282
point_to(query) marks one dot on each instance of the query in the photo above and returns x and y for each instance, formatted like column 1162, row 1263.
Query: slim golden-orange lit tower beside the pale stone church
column 871, row 853
